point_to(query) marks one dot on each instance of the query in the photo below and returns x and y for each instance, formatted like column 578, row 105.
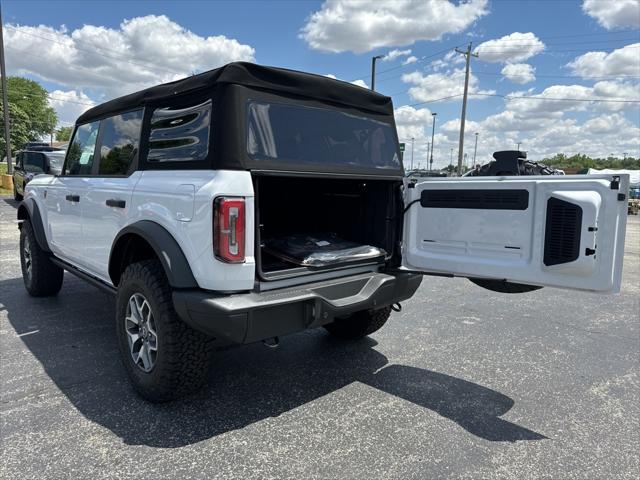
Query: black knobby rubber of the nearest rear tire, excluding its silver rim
column 183, row 354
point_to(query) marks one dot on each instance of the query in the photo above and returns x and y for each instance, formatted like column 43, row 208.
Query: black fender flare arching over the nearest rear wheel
column 166, row 248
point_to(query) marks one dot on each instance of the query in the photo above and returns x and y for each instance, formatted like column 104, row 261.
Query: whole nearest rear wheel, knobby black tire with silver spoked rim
column 164, row 357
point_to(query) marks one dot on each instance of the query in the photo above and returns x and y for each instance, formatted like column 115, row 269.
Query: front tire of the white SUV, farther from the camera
column 44, row 278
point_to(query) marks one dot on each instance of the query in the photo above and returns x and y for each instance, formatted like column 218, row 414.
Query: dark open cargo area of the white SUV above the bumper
column 346, row 212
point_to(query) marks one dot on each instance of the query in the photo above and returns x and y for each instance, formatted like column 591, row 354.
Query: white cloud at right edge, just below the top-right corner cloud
column 622, row 61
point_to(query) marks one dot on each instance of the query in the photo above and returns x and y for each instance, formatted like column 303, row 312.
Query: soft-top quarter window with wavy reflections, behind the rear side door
column 180, row 134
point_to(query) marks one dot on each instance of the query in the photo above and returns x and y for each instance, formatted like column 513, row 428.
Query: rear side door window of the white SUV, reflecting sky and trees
column 119, row 141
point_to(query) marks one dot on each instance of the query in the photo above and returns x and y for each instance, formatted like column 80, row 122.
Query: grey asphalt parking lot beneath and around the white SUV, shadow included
column 464, row 383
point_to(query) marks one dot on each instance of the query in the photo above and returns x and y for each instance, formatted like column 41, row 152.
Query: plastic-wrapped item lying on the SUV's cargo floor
column 322, row 250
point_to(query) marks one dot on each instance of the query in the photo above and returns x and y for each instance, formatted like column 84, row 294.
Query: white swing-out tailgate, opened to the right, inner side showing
column 564, row 231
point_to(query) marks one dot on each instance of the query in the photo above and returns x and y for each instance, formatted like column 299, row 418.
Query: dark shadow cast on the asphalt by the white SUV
column 74, row 340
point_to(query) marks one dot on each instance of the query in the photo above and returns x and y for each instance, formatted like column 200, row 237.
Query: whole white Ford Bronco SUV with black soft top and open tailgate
column 250, row 202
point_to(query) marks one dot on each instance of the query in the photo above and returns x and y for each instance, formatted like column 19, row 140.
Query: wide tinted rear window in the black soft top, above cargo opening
column 298, row 134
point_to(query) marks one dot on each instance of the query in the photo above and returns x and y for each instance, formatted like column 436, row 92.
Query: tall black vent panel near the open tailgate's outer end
column 562, row 234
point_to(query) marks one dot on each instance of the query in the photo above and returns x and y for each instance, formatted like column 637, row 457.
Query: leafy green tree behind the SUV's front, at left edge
column 34, row 118
